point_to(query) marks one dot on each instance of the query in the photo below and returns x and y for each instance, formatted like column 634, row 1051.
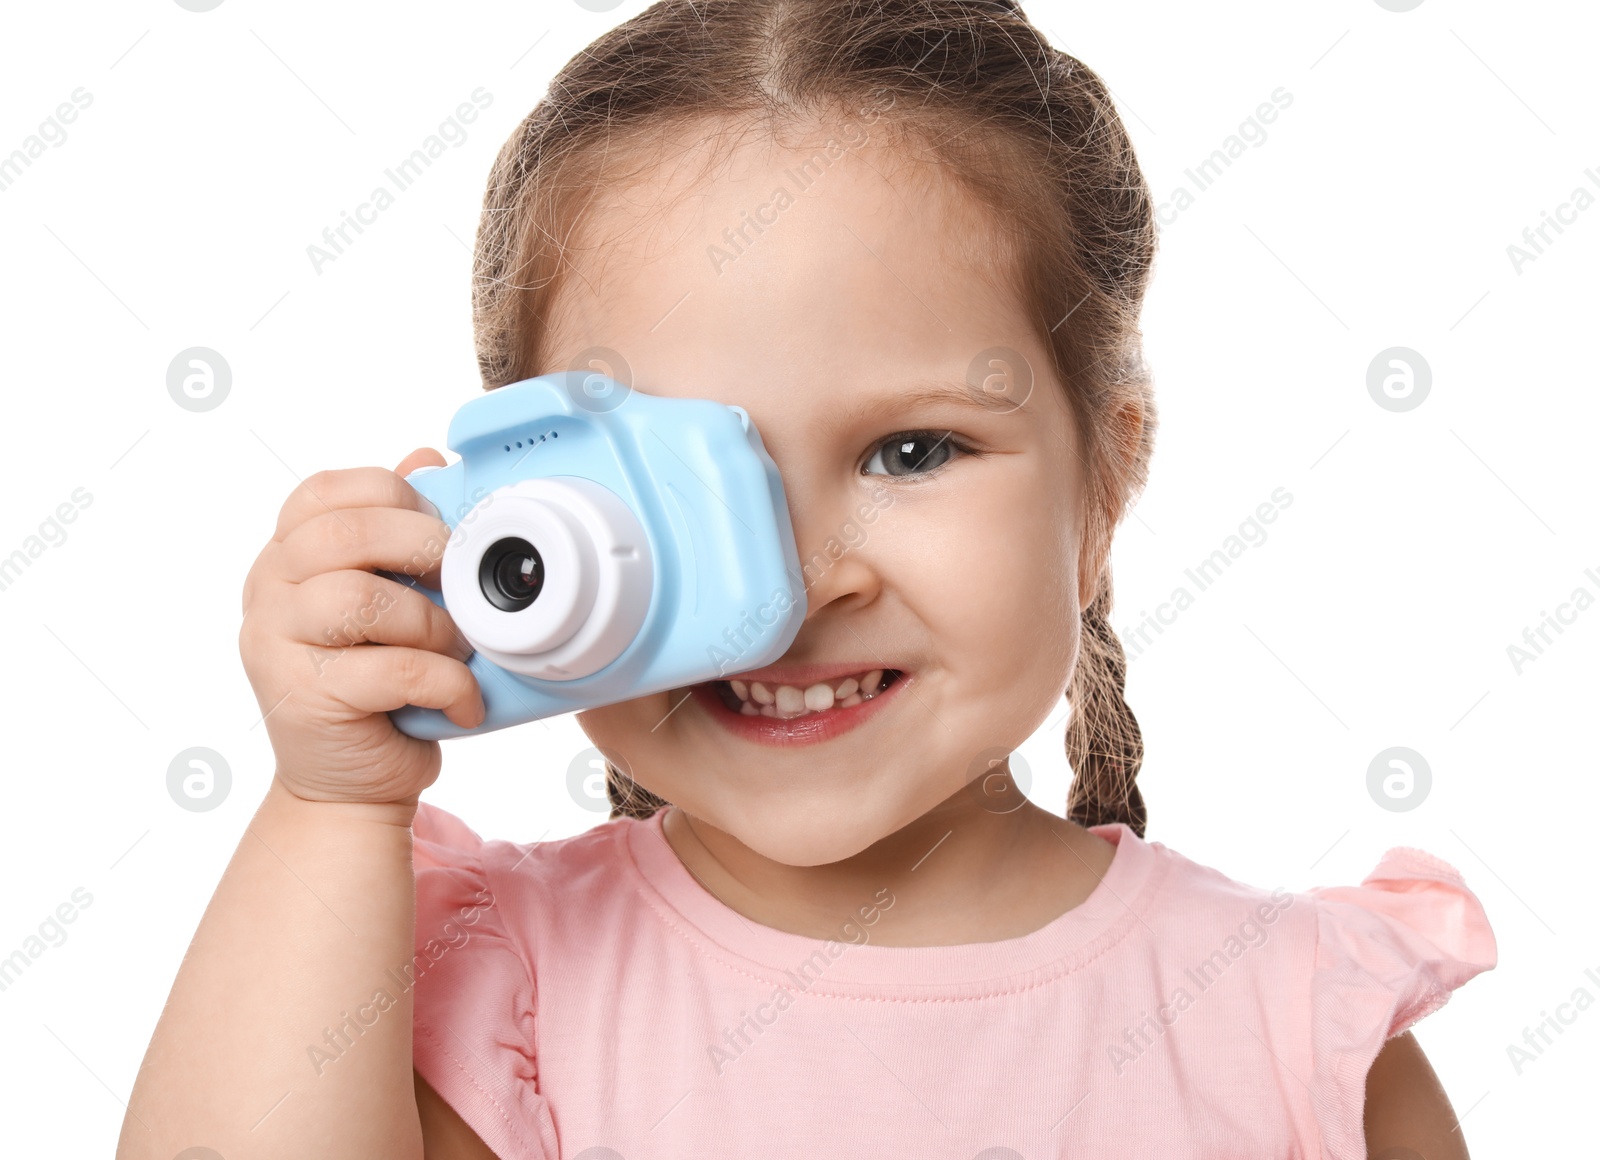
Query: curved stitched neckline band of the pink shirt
column 855, row 967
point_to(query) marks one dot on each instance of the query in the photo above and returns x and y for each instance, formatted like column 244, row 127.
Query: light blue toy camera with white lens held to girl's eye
column 606, row 545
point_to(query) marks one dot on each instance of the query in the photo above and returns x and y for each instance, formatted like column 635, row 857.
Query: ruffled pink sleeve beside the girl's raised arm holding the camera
column 474, row 993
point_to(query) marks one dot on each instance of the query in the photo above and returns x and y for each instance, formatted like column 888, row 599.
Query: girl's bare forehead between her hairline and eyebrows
column 786, row 268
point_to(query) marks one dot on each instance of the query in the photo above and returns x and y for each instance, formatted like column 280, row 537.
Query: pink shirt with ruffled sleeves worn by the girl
column 588, row 998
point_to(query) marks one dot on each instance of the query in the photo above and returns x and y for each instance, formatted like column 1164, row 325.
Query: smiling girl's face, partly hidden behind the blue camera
column 847, row 321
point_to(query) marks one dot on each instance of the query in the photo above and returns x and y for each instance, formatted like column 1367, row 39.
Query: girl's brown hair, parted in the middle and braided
column 1023, row 129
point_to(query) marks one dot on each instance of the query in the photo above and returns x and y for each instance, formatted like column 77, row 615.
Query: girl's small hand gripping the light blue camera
column 330, row 647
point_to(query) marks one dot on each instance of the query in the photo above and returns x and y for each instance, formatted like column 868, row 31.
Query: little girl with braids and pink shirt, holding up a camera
column 911, row 239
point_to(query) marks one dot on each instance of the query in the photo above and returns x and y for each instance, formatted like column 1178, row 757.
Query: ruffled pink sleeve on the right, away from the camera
column 1388, row 953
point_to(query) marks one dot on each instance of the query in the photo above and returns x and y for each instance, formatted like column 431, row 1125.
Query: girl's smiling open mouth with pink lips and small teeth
column 788, row 714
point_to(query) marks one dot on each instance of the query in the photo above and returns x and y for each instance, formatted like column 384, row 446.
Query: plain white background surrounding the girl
column 1377, row 614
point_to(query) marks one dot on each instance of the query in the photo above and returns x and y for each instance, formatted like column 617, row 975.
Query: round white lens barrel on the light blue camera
column 596, row 586
